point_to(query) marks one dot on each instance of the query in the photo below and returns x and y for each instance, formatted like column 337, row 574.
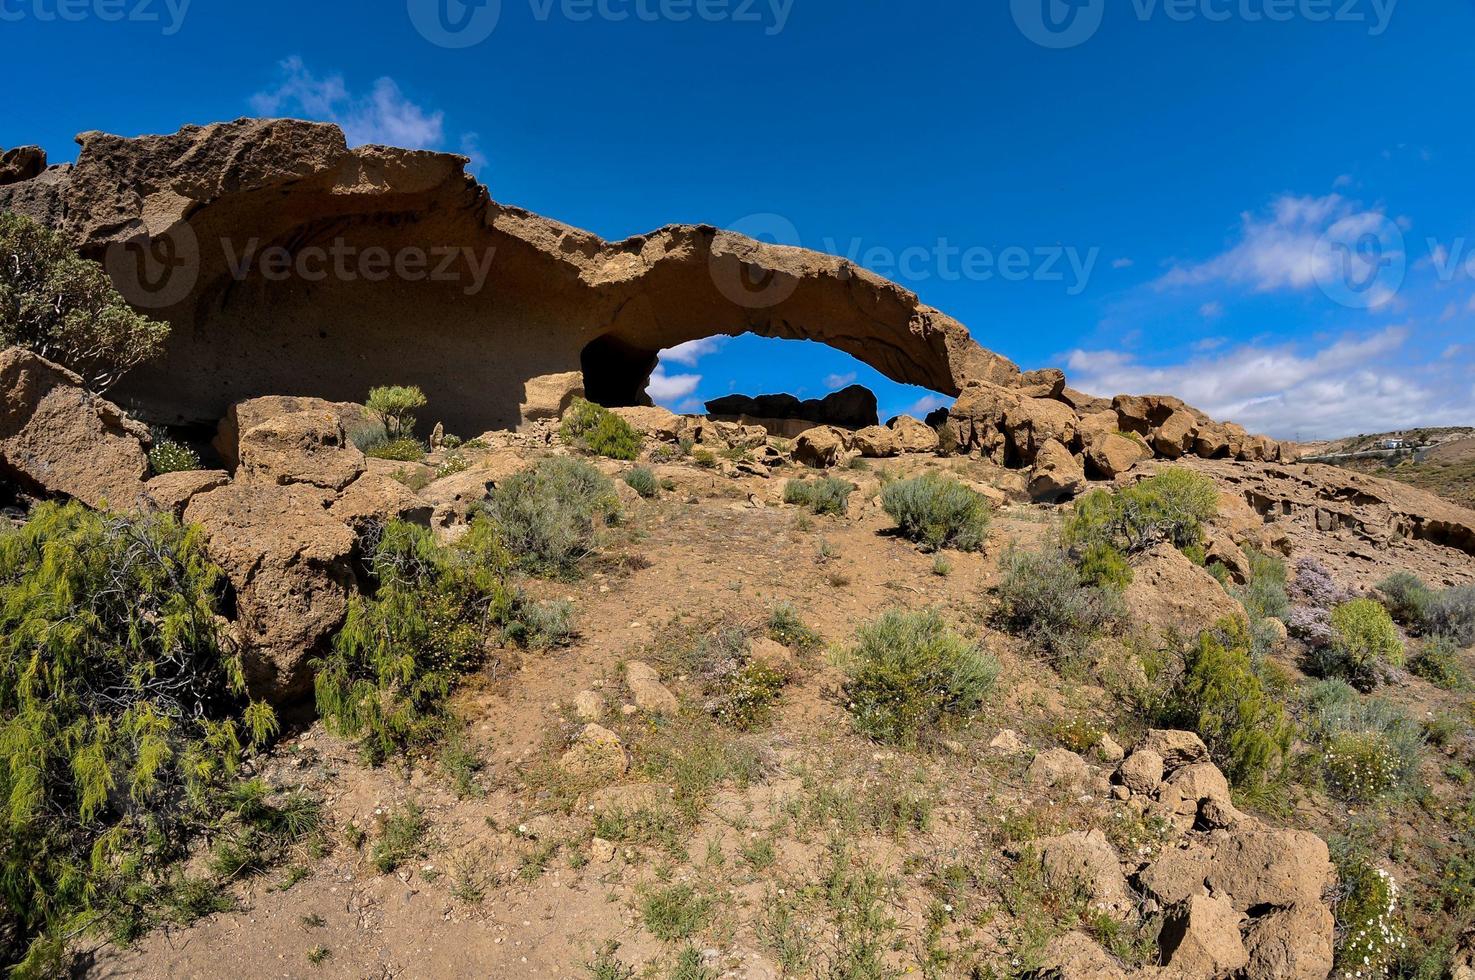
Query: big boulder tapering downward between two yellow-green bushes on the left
column 290, row 566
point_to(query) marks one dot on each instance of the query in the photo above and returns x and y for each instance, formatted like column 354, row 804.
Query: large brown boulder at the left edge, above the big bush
column 61, row 441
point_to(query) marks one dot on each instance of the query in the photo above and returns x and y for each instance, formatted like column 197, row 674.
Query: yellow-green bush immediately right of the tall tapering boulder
column 405, row 649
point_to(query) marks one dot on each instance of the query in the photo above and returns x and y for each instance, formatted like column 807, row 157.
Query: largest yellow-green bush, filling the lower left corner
column 123, row 717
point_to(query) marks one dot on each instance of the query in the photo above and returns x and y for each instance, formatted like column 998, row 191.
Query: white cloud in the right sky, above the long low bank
column 1287, row 247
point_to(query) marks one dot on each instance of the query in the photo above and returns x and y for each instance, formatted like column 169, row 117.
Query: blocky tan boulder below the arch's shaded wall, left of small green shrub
column 300, row 448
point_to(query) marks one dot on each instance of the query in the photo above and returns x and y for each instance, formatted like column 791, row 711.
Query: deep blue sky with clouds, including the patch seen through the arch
column 1262, row 206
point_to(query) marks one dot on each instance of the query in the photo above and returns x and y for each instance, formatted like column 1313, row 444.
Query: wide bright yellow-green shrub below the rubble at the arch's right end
column 1173, row 507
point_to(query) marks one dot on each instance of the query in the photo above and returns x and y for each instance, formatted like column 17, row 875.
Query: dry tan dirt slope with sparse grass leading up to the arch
column 796, row 849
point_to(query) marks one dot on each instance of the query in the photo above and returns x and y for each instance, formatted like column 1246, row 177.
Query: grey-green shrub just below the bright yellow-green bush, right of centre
column 1044, row 598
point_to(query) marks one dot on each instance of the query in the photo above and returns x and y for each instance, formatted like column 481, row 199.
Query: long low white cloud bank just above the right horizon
column 1346, row 387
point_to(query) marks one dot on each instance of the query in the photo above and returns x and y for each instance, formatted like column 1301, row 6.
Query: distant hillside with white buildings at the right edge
column 1437, row 460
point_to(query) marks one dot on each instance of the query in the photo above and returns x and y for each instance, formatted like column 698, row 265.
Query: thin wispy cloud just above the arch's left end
column 384, row 116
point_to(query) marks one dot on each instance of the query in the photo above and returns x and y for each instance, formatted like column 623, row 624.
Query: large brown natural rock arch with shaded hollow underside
column 532, row 311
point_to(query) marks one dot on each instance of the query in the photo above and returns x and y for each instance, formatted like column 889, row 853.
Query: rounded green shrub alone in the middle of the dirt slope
column 909, row 672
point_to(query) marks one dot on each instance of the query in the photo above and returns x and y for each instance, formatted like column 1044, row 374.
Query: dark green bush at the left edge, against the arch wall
column 66, row 308
